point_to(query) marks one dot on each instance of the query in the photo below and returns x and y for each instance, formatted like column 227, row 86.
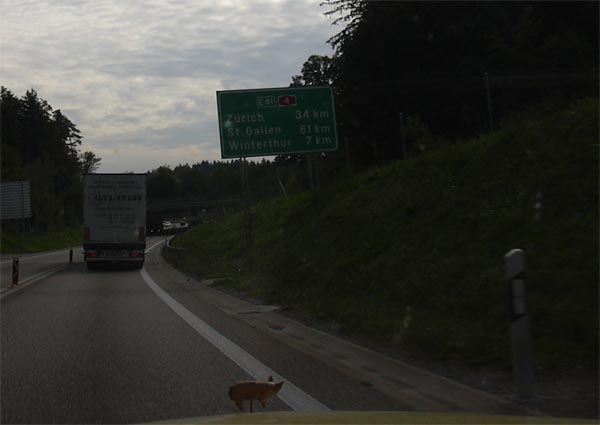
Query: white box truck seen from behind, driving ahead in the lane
column 114, row 215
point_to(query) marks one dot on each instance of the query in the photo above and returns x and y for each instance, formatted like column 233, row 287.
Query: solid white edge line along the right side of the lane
column 293, row 396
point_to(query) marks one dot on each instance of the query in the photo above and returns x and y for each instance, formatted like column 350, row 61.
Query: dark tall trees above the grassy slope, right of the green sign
column 428, row 61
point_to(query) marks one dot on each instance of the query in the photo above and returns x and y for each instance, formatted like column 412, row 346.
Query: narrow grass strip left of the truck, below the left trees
column 14, row 243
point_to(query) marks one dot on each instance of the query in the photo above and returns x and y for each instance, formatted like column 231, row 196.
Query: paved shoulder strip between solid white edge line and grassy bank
column 420, row 389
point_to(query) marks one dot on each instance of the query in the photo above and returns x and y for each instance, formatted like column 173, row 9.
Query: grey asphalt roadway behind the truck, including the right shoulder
column 101, row 346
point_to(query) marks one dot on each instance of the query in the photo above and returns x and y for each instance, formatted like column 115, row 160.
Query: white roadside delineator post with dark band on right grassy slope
column 514, row 262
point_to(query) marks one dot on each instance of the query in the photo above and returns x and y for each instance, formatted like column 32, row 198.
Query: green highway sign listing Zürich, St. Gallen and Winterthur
column 276, row 121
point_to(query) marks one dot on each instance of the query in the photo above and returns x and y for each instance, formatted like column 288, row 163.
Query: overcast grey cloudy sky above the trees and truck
column 139, row 78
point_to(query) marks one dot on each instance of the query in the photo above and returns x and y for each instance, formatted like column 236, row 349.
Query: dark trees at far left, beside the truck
column 41, row 145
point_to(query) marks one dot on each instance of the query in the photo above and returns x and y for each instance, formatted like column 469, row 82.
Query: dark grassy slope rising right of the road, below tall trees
column 412, row 254
